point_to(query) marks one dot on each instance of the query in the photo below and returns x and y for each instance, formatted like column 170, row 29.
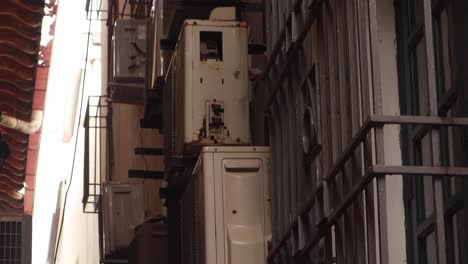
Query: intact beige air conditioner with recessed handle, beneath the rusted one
column 225, row 210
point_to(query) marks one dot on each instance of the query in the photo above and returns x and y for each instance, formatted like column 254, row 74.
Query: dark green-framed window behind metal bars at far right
column 422, row 244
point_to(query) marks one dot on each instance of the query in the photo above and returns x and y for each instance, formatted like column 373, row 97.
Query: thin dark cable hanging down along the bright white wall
column 75, row 147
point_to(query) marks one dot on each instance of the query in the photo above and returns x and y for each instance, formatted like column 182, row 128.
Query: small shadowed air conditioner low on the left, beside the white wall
column 122, row 211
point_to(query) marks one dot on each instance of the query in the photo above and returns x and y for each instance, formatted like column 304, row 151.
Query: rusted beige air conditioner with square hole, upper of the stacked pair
column 206, row 87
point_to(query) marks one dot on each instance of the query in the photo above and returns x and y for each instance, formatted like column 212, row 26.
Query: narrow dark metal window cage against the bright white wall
column 97, row 153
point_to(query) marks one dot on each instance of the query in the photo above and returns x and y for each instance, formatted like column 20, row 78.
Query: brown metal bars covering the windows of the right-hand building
column 329, row 204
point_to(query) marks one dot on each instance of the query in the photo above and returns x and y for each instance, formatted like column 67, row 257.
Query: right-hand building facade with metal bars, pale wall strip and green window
column 365, row 113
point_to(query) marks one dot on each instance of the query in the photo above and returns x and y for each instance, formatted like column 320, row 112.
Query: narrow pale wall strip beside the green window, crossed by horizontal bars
column 391, row 106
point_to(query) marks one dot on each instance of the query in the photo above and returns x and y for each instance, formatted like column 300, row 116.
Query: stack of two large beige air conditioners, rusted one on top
column 225, row 209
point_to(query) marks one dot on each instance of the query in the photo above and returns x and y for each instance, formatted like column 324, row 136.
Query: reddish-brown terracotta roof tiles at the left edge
column 20, row 26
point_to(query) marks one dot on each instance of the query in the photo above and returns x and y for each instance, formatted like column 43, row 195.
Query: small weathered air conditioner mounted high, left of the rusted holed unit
column 129, row 50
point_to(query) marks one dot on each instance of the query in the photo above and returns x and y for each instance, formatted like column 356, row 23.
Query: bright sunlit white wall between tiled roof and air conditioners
column 79, row 243
